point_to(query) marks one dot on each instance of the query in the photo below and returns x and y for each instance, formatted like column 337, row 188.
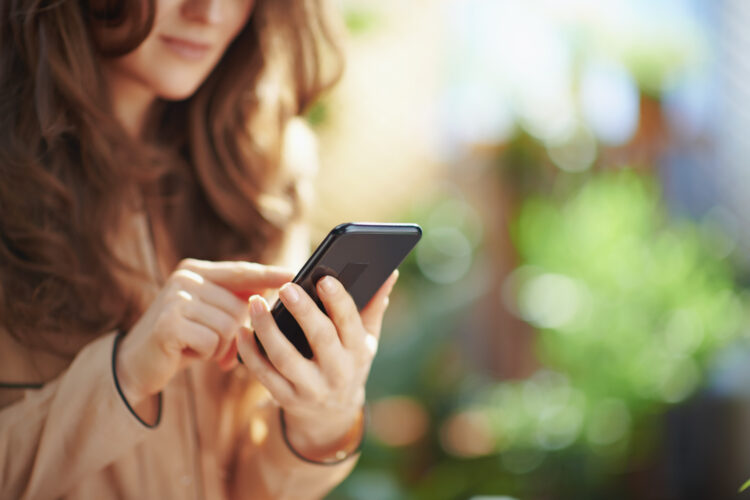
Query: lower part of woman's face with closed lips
column 187, row 40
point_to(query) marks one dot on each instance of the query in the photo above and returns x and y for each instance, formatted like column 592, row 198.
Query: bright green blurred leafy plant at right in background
column 630, row 307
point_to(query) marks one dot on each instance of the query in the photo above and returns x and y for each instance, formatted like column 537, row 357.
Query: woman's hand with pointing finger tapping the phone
column 196, row 315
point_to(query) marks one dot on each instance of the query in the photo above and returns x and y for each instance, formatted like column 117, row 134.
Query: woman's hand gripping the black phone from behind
column 322, row 397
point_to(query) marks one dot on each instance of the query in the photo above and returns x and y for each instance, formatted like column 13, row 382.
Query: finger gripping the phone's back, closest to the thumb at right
column 343, row 312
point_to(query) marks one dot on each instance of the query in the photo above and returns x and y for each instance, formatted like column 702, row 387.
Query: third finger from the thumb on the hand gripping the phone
column 281, row 353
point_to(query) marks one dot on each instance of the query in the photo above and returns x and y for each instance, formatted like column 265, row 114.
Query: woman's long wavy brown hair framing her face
column 208, row 168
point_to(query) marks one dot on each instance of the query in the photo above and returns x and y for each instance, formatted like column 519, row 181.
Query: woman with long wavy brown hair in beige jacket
column 144, row 195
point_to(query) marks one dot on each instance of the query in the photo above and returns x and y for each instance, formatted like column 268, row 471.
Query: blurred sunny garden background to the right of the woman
column 574, row 322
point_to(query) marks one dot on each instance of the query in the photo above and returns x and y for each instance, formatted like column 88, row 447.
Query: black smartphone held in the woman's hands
column 361, row 255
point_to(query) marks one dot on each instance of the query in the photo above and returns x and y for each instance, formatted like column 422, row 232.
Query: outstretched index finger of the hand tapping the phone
column 239, row 276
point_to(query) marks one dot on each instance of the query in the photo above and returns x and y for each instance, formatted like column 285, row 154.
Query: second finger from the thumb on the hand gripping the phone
column 319, row 329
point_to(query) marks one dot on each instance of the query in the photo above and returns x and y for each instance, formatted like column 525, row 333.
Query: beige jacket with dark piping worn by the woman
column 74, row 438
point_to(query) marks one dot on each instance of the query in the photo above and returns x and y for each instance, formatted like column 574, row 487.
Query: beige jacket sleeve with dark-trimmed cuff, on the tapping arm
column 73, row 426
